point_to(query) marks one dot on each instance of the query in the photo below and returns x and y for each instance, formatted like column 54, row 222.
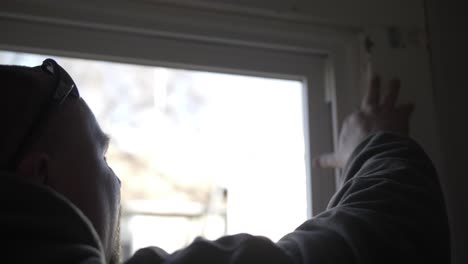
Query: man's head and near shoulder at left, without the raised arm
column 56, row 181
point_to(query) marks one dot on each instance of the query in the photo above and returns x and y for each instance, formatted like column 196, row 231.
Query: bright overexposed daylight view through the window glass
column 199, row 153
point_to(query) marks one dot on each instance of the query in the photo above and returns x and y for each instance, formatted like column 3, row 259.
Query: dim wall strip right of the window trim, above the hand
column 410, row 63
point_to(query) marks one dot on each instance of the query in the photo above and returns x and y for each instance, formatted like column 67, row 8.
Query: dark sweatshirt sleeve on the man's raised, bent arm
column 390, row 209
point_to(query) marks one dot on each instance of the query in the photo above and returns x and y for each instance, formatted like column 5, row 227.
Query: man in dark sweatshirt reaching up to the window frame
column 61, row 200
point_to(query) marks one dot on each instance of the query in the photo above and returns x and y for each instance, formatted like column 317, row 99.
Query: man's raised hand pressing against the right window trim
column 375, row 115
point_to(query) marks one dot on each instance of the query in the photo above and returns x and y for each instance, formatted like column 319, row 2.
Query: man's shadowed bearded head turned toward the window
column 67, row 152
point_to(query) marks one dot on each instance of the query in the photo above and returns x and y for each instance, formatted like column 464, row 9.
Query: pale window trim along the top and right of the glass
column 179, row 35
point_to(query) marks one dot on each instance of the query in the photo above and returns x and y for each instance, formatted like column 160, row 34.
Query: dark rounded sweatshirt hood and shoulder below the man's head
column 38, row 225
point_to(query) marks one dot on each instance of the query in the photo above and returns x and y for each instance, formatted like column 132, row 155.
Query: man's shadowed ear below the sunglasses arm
column 34, row 167
